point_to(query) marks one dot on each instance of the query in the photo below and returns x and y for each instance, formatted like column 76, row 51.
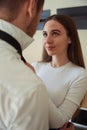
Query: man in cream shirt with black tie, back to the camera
column 23, row 98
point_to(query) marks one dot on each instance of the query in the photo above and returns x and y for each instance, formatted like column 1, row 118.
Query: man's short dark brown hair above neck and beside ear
column 13, row 7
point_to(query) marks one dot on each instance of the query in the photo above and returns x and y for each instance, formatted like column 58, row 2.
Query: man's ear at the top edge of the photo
column 32, row 7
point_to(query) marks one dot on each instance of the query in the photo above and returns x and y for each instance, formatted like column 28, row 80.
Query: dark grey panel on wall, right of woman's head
column 79, row 14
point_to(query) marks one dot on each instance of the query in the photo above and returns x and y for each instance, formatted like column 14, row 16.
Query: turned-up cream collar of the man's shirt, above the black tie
column 17, row 33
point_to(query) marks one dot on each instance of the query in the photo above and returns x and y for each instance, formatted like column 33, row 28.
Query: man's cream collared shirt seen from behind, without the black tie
column 23, row 97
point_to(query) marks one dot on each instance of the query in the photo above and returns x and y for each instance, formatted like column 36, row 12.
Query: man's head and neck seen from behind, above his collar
column 21, row 13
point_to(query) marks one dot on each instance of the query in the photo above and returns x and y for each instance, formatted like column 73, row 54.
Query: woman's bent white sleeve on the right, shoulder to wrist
column 63, row 113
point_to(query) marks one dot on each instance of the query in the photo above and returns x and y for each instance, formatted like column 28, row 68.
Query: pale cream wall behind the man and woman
column 33, row 52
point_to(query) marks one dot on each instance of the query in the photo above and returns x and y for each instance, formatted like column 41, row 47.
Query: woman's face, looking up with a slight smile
column 55, row 38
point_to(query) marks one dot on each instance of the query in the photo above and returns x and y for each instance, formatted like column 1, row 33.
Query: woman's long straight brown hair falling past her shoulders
column 74, row 49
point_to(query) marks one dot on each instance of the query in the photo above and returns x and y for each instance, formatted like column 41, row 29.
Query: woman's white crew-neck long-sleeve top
column 66, row 86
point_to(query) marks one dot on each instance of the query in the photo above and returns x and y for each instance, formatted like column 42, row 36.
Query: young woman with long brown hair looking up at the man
column 62, row 67
